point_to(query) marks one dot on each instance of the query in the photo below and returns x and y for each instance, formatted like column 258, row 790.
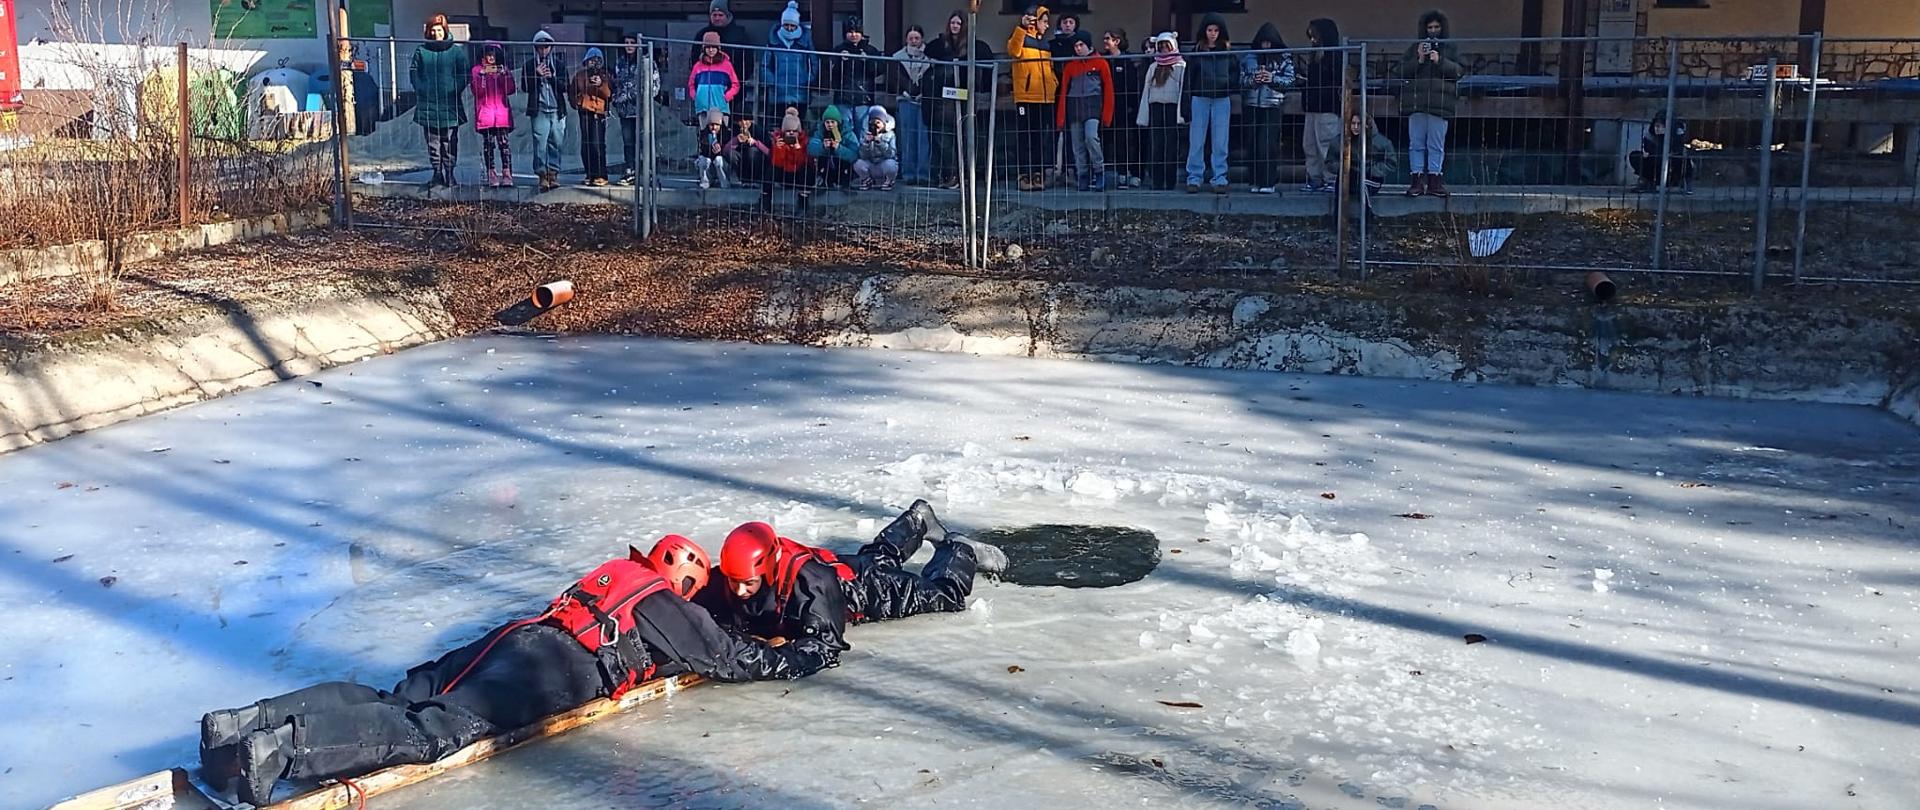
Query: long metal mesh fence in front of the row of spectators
column 1692, row 156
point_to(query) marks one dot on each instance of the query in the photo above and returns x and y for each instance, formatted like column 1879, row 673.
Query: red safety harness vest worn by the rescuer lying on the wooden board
column 598, row 613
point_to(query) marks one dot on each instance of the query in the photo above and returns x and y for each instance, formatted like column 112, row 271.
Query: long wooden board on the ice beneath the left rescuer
column 172, row 788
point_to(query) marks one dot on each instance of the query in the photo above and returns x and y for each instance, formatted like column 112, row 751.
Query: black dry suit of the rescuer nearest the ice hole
column 815, row 613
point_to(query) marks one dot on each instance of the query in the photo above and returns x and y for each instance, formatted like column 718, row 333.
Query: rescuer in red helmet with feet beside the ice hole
column 777, row 588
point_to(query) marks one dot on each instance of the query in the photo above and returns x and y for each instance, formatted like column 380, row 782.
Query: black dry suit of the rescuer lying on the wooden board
column 508, row 679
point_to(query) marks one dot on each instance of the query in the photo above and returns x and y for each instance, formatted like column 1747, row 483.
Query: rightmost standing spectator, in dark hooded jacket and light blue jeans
column 1429, row 101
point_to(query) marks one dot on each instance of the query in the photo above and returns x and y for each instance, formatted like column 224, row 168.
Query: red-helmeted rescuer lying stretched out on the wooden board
column 625, row 623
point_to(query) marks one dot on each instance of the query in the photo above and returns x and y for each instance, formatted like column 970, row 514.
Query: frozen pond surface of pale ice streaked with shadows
column 1689, row 604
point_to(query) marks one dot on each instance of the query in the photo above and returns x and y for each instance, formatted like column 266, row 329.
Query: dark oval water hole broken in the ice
column 1076, row 556
